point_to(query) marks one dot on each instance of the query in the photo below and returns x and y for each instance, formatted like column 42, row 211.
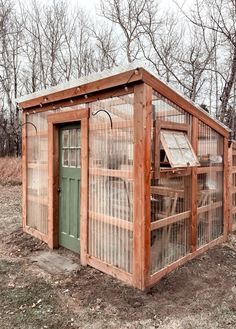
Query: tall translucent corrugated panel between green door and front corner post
column 111, row 181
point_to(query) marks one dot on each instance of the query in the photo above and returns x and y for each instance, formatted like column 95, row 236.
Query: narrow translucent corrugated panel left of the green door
column 37, row 172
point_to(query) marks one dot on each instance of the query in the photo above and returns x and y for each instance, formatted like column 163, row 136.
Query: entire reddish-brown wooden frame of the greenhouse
column 142, row 84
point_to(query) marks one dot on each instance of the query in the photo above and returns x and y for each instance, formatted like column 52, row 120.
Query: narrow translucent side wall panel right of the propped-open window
column 210, row 185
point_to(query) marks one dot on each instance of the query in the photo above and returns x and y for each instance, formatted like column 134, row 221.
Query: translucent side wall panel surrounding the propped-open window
column 170, row 195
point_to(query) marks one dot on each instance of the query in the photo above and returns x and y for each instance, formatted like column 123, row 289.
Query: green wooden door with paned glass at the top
column 69, row 187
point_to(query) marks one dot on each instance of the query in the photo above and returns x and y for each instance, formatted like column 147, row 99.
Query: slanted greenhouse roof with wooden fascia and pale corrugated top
column 119, row 76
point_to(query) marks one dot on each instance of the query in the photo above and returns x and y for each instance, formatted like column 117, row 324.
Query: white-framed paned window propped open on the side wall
column 178, row 149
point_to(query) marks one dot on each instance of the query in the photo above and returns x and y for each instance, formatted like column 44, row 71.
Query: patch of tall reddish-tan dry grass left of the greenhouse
column 10, row 171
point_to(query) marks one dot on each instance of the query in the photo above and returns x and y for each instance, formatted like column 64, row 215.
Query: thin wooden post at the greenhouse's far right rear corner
column 226, row 190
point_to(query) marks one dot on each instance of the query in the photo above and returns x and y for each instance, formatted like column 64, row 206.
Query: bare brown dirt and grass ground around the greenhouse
column 199, row 295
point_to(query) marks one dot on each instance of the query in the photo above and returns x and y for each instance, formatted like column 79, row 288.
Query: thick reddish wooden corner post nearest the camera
column 142, row 169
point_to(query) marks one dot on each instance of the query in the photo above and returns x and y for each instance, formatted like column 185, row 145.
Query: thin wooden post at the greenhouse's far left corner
column 24, row 171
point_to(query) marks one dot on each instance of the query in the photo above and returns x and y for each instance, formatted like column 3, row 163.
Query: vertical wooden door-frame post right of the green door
column 84, row 193
